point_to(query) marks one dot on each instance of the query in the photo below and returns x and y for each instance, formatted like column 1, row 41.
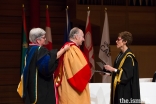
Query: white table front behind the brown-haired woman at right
column 100, row 92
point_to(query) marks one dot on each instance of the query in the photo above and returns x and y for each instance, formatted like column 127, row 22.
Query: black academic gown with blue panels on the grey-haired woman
column 39, row 84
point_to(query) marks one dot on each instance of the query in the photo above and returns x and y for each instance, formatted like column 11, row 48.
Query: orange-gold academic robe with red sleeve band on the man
column 72, row 77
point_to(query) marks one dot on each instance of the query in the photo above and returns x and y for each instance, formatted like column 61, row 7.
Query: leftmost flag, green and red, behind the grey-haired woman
column 24, row 41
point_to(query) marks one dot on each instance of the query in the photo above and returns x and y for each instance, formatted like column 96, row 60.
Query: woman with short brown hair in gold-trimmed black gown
column 125, row 86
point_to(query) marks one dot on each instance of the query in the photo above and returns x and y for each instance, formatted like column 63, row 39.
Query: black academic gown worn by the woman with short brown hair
column 128, row 89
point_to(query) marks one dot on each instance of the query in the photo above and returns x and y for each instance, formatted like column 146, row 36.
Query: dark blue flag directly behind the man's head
column 68, row 27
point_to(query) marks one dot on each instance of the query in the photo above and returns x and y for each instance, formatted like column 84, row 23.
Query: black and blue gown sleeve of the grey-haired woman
column 47, row 61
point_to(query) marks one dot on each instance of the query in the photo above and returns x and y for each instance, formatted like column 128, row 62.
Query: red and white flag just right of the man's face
column 88, row 45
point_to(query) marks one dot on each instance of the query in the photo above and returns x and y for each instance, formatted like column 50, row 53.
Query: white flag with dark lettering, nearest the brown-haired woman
column 104, row 53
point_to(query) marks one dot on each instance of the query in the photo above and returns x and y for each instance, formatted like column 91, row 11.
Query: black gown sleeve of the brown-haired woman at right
column 127, row 73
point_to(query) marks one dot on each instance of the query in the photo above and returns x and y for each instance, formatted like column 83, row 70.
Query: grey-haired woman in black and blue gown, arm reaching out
column 39, row 68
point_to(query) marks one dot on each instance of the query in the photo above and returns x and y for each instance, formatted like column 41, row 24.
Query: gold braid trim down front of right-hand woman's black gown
column 118, row 76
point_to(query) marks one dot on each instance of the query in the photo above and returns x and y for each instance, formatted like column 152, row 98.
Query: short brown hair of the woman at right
column 126, row 36
